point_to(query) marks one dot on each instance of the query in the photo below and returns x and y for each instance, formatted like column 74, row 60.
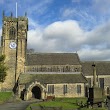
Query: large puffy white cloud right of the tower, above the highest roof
column 59, row 36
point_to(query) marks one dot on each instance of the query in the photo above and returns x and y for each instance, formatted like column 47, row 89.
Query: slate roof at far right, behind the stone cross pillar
column 102, row 68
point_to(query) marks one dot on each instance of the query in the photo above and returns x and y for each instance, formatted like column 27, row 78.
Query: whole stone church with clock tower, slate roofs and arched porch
column 39, row 75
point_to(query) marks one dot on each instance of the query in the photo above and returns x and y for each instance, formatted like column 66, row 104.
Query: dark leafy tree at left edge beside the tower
column 3, row 68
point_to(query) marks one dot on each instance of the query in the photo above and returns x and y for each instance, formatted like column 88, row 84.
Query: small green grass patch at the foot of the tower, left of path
column 4, row 96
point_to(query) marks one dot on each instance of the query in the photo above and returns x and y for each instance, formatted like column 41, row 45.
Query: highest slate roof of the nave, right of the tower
column 52, row 59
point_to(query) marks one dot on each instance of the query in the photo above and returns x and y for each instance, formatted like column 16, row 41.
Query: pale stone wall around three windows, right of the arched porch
column 71, row 90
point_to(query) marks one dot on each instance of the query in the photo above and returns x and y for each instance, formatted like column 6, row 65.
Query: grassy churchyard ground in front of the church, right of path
column 63, row 104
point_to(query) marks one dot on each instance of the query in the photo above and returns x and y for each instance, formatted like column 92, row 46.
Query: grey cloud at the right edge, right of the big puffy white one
column 99, row 36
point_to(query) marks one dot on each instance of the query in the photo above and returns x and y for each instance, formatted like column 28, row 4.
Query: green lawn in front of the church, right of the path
column 65, row 103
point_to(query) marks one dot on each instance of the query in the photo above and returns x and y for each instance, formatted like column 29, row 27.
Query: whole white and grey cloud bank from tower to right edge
column 68, row 36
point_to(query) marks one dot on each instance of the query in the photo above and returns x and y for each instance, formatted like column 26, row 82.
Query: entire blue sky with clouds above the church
column 81, row 26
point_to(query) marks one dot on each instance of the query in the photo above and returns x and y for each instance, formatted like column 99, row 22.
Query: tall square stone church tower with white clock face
column 14, row 45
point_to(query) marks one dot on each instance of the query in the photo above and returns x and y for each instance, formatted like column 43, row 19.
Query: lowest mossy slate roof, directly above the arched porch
column 52, row 78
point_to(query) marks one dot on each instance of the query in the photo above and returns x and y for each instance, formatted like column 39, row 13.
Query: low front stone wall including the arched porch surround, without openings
column 57, row 92
